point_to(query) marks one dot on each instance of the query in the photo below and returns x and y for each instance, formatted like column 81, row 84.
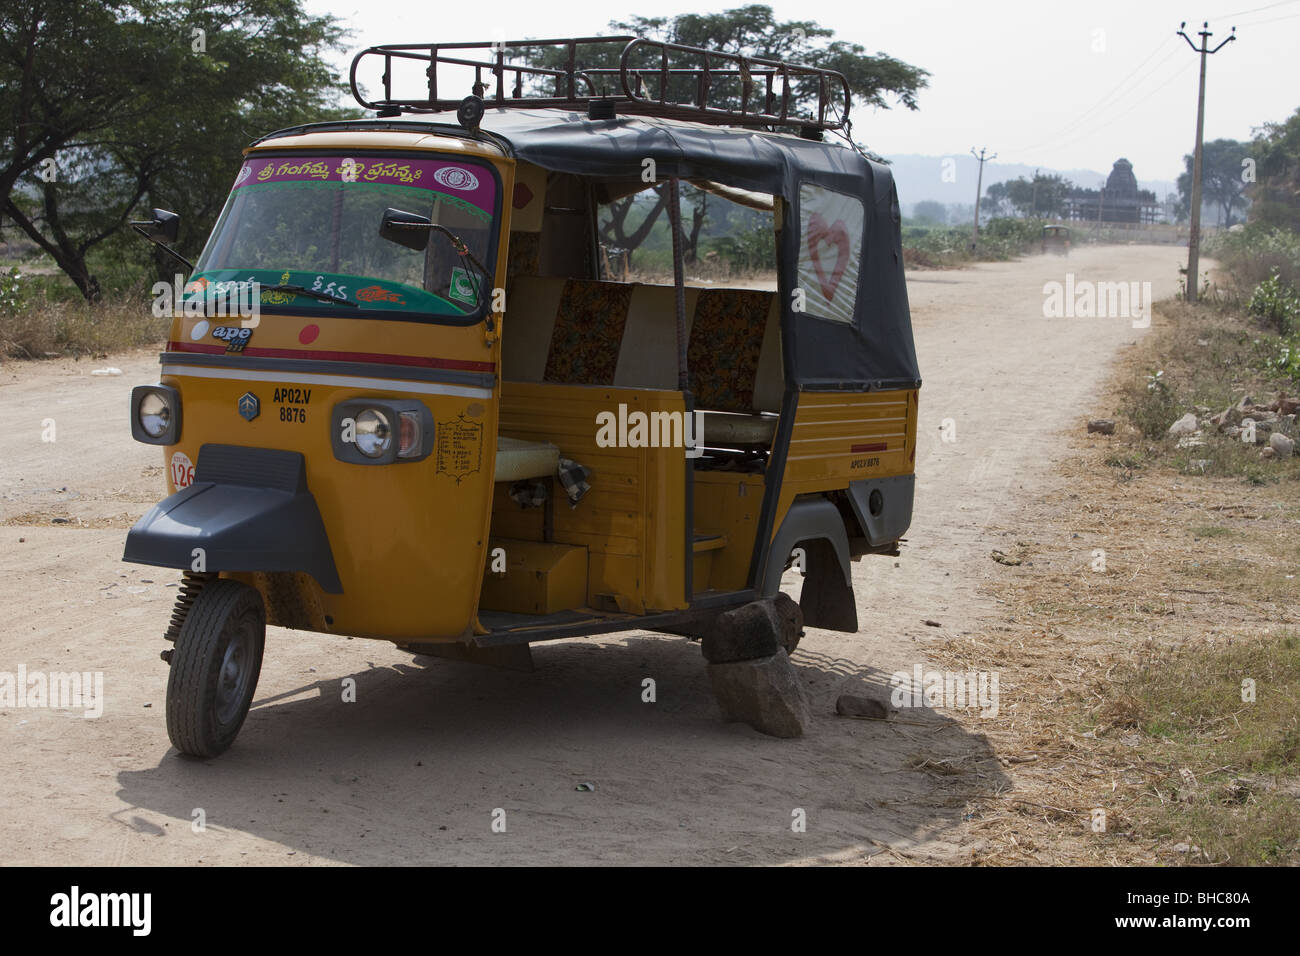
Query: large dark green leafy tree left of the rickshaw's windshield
column 114, row 103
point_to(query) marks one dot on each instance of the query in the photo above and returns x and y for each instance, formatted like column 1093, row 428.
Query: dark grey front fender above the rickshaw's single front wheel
column 249, row 511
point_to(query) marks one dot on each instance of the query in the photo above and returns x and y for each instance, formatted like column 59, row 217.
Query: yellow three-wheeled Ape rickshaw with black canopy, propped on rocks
column 445, row 427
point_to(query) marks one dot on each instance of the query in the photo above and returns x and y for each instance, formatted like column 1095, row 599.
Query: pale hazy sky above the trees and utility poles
column 1064, row 86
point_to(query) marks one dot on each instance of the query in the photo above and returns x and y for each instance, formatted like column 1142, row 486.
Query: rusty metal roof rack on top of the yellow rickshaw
column 618, row 75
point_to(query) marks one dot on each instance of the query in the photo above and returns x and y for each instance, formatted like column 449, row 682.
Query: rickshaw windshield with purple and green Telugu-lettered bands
column 314, row 222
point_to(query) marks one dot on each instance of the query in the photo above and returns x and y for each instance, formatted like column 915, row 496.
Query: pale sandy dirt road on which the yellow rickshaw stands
column 415, row 769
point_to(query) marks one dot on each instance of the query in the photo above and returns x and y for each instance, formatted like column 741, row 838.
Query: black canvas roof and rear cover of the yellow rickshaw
column 874, row 352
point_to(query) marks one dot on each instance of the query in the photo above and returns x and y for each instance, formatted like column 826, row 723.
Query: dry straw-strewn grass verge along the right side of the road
column 1121, row 684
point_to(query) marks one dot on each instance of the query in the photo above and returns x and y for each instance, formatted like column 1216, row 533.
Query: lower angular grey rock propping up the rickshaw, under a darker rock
column 766, row 694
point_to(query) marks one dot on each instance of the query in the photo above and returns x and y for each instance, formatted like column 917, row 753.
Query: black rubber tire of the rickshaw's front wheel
column 215, row 618
